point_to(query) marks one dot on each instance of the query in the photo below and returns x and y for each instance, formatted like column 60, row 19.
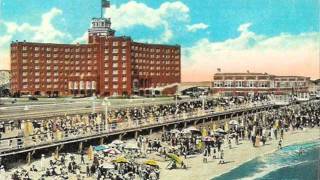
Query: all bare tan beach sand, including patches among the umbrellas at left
column 197, row 170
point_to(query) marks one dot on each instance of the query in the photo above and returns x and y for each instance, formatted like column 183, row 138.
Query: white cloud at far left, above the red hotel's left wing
column 43, row 32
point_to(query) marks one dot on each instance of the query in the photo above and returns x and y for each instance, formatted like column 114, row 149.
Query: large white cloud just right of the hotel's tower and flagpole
column 133, row 13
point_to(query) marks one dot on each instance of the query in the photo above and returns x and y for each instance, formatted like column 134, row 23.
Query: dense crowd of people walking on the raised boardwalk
column 50, row 129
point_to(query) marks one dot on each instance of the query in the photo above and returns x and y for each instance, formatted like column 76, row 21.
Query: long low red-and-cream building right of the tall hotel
column 242, row 84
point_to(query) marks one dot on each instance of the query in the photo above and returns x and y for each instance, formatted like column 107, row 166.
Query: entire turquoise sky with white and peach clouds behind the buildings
column 275, row 36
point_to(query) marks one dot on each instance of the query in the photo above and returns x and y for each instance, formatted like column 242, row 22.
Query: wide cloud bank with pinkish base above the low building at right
column 284, row 54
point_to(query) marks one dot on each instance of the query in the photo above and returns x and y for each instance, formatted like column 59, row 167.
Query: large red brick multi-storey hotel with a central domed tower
column 107, row 66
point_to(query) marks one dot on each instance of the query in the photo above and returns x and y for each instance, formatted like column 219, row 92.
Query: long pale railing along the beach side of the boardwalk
column 26, row 143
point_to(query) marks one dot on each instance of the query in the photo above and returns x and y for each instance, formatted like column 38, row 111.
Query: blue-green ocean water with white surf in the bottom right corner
column 285, row 164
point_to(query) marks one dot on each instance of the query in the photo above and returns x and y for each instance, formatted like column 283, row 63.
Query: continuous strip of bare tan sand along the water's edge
column 235, row 157
